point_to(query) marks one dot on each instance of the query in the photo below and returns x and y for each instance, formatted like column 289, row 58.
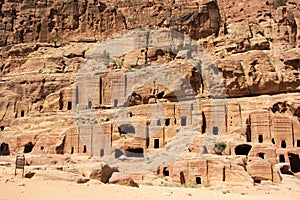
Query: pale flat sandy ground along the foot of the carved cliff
column 16, row 188
